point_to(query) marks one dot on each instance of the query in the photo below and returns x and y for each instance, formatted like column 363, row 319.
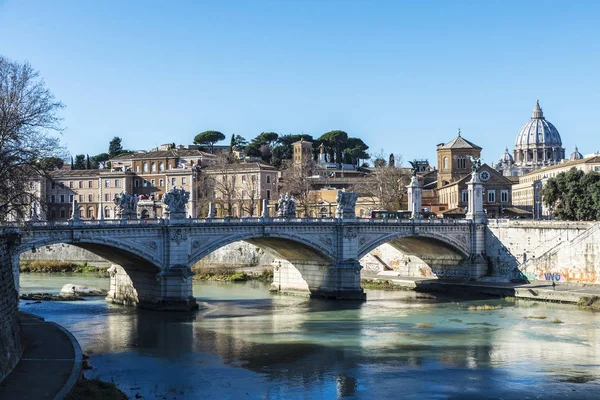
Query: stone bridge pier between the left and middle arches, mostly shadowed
column 169, row 289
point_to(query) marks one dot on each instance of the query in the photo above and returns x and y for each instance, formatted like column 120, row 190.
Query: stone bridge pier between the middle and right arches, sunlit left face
column 315, row 279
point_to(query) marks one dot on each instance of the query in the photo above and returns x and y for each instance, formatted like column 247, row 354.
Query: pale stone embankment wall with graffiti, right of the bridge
column 545, row 250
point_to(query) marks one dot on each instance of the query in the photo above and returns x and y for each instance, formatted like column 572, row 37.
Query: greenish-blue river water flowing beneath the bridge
column 245, row 343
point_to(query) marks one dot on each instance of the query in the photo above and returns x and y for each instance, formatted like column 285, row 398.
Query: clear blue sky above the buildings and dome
column 401, row 75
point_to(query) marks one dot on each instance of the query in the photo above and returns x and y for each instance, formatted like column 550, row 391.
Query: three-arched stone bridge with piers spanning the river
column 152, row 259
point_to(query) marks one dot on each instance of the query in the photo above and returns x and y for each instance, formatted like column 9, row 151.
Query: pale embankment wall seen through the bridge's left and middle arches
column 235, row 255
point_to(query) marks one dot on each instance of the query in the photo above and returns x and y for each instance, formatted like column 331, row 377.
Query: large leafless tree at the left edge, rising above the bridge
column 28, row 120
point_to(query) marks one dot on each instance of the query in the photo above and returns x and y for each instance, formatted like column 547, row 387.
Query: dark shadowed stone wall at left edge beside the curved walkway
column 10, row 332
